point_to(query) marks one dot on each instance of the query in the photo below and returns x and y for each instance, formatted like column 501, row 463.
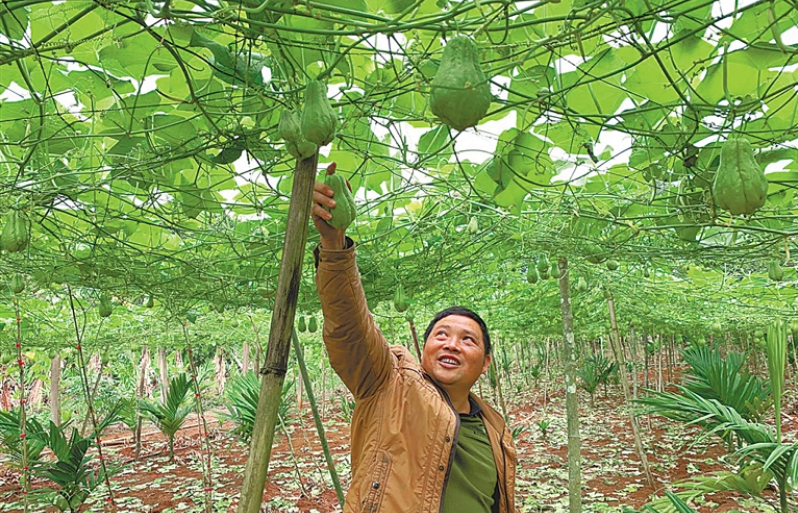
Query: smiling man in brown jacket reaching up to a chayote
column 420, row 441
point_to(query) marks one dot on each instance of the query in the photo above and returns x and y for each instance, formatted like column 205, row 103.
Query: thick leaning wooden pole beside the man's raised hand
column 275, row 366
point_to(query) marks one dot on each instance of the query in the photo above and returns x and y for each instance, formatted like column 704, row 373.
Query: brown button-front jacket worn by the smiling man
column 404, row 427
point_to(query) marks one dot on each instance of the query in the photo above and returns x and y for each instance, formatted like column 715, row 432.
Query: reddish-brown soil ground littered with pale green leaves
column 298, row 479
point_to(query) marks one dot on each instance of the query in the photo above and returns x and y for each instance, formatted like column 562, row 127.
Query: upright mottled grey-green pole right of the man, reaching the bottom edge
column 571, row 397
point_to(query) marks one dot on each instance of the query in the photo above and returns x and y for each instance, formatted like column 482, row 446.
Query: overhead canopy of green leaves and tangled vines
column 140, row 140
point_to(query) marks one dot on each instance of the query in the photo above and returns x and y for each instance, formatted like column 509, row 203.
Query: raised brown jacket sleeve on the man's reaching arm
column 358, row 351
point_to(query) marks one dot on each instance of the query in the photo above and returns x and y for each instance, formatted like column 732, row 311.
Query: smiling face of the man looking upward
column 454, row 354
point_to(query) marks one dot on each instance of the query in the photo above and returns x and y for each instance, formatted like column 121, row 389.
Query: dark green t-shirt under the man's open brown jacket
column 472, row 480
